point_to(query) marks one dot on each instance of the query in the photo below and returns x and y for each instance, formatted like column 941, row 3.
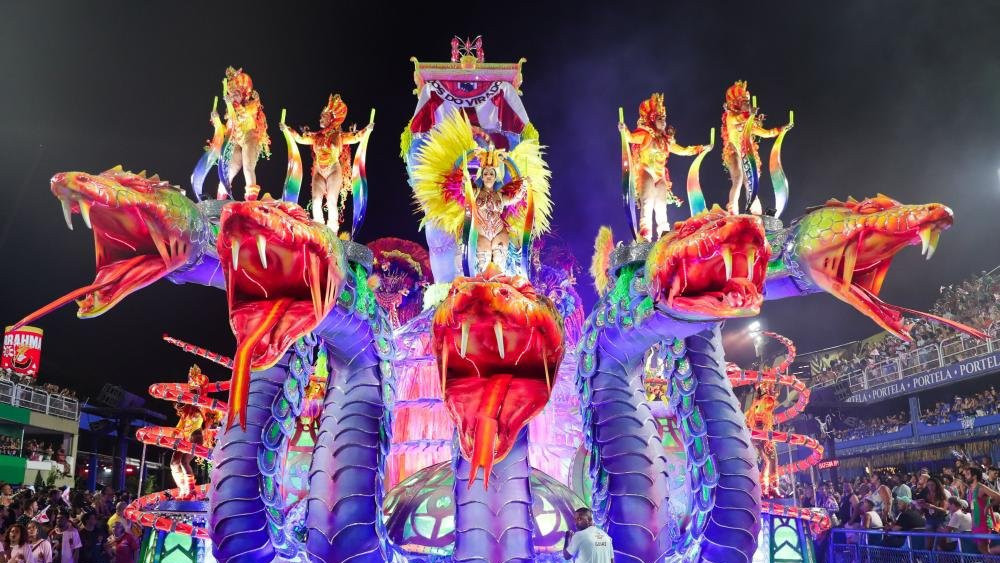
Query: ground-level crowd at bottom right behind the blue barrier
column 937, row 502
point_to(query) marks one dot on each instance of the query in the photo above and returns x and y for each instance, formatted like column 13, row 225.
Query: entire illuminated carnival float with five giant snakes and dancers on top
column 455, row 402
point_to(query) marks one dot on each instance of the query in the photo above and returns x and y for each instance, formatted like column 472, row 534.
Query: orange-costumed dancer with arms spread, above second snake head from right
column 652, row 143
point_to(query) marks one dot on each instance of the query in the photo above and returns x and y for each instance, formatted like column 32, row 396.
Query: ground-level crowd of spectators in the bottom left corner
column 66, row 525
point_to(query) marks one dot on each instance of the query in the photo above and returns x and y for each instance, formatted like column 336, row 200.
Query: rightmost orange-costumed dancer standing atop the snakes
column 741, row 123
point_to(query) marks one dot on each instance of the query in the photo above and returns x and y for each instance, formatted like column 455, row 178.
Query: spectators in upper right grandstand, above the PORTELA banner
column 975, row 302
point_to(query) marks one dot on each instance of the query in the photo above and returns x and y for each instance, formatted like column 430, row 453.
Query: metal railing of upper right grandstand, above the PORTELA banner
column 949, row 351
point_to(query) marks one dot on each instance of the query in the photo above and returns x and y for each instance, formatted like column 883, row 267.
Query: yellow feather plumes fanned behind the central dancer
column 438, row 178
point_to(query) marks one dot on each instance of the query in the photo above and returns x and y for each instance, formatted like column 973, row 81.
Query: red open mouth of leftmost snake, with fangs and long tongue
column 134, row 245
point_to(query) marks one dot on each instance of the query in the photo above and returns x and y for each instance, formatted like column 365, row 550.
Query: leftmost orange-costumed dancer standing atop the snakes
column 246, row 132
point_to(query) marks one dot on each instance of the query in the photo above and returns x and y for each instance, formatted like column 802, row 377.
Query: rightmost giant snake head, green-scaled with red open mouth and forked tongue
column 846, row 248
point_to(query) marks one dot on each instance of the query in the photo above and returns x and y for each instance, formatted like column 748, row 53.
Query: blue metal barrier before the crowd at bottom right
column 879, row 546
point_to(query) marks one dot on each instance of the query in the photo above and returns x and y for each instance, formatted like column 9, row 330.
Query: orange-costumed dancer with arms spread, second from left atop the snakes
column 331, row 178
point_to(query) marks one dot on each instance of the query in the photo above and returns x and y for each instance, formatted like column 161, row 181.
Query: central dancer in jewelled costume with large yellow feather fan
column 507, row 185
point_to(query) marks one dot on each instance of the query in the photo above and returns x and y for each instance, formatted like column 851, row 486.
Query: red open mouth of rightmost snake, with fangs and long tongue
column 854, row 270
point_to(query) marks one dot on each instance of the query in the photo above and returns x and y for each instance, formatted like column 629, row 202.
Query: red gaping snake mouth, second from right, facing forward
column 712, row 266
